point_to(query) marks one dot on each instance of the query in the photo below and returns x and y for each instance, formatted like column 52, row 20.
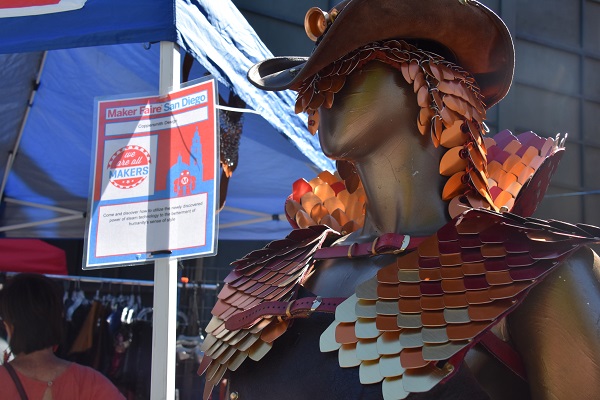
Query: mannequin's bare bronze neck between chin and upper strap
column 403, row 188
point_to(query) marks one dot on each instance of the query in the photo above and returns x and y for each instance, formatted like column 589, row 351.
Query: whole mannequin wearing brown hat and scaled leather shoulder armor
column 365, row 112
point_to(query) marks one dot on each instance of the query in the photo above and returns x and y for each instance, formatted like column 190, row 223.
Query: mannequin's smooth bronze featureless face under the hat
column 373, row 106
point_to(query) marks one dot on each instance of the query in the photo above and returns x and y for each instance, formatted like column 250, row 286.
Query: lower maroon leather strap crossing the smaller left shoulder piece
column 300, row 308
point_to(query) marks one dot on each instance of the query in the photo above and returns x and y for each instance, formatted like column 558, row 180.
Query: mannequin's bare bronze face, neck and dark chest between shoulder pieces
column 372, row 126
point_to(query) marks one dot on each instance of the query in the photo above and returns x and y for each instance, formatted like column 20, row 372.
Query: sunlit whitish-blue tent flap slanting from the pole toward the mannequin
column 230, row 47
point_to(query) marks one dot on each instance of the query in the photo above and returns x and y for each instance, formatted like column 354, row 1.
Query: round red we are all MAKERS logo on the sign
column 128, row 167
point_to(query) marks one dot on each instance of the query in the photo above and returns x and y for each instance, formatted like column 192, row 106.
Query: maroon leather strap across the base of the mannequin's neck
column 393, row 243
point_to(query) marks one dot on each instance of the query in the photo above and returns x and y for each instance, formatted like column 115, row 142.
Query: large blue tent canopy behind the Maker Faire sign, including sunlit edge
column 112, row 55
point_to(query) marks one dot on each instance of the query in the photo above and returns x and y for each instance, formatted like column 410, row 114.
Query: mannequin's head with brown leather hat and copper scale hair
column 456, row 56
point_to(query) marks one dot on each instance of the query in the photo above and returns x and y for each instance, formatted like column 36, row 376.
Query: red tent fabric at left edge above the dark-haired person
column 32, row 255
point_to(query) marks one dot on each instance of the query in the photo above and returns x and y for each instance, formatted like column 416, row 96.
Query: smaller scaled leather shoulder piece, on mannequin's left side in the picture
column 266, row 275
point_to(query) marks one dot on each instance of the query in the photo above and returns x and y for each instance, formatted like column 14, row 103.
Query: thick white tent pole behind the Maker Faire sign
column 164, row 320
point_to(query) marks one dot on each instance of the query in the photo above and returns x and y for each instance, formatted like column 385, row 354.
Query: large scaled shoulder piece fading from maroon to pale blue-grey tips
column 410, row 326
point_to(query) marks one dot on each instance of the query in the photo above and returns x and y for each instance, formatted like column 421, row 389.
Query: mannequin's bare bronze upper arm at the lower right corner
column 557, row 331
